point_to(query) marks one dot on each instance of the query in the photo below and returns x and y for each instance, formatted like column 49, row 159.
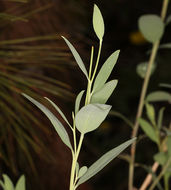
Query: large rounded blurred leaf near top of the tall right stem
column 152, row 27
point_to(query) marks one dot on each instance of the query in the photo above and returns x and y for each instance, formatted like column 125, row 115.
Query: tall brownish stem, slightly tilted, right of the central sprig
column 142, row 98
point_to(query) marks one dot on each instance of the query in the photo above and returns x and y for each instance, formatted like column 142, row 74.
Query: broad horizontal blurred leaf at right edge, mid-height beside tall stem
column 158, row 96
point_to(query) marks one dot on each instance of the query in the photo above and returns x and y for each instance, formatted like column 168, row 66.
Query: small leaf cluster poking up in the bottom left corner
column 7, row 184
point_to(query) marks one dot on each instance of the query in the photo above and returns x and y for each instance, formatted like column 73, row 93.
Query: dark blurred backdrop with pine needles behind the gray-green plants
column 35, row 60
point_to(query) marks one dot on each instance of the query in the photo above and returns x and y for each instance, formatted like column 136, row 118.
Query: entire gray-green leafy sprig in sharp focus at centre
column 88, row 117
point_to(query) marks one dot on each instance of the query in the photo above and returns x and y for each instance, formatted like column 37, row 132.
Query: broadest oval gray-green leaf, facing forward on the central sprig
column 91, row 116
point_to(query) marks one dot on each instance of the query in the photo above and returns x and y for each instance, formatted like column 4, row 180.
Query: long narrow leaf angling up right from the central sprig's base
column 103, row 161
